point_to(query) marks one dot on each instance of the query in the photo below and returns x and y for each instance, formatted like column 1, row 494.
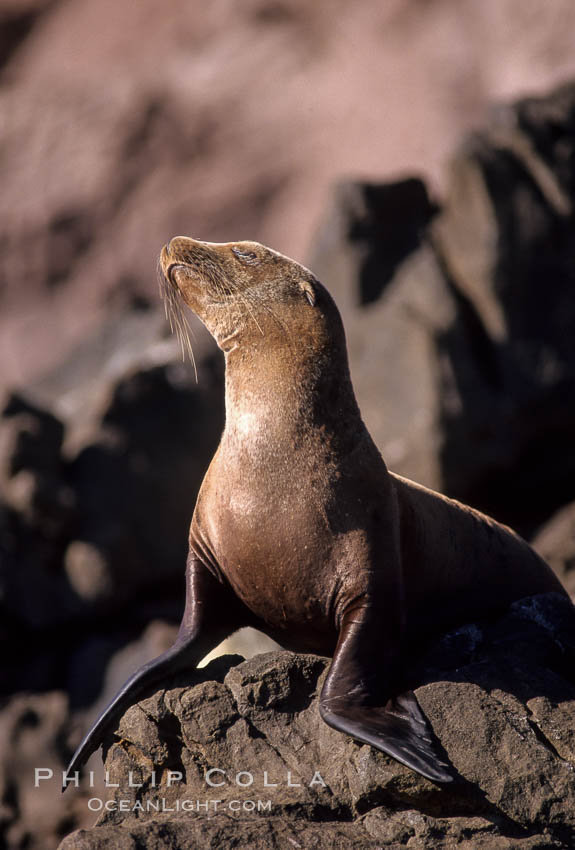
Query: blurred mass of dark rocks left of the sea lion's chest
column 96, row 500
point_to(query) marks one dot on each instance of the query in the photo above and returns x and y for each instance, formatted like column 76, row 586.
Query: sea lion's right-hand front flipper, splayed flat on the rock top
column 355, row 699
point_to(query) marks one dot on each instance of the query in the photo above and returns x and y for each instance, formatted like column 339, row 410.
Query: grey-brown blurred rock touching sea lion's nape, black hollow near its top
column 391, row 340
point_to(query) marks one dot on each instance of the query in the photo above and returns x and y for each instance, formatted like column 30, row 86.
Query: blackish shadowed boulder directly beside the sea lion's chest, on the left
column 137, row 478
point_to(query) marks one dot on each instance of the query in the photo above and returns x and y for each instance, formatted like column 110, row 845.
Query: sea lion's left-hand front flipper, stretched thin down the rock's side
column 211, row 614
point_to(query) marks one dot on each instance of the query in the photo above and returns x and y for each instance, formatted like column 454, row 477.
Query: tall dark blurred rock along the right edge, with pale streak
column 509, row 381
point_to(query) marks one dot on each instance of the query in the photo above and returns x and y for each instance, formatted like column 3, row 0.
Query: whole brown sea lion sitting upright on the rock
column 299, row 529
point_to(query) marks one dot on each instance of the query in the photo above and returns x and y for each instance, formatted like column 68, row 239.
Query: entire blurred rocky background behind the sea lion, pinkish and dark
column 418, row 155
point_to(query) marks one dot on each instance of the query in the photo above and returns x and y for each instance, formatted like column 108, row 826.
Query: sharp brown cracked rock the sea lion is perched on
column 499, row 695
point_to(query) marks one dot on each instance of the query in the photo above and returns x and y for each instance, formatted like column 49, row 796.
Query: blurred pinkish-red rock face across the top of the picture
column 125, row 124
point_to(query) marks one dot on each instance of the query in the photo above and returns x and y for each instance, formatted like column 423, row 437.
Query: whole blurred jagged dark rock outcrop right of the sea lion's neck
column 462, row 331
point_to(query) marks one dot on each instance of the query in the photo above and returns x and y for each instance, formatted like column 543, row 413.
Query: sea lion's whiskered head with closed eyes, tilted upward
column 243, row 289
